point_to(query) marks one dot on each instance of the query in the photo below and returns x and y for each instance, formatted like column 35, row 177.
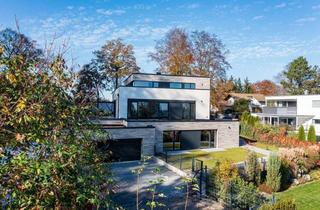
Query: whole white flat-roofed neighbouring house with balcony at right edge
column 293, row 111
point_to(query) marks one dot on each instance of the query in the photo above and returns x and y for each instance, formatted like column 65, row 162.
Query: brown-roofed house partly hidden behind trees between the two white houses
column 256, row 101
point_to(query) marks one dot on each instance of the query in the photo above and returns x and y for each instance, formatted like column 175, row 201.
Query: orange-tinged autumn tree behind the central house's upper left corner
column 115, row 60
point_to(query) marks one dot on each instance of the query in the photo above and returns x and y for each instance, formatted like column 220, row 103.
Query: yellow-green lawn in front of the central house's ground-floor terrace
column 209, row 158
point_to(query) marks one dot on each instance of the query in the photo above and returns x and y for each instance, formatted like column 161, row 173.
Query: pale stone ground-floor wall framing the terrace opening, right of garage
column 227, row 131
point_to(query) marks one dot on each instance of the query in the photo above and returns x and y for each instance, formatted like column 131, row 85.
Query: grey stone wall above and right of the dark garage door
column 146, row 134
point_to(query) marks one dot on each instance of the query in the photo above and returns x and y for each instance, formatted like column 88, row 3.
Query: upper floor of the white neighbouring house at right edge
column 308, row 105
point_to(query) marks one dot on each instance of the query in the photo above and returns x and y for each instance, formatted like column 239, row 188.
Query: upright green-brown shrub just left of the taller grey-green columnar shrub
column 253, row 168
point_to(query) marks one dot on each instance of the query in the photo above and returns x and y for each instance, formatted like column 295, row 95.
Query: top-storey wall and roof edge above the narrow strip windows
column 201, row 82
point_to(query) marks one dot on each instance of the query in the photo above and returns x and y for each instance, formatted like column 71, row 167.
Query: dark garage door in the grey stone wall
column 125, row 149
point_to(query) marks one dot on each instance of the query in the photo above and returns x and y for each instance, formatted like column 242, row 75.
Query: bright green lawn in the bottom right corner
column 306, row 196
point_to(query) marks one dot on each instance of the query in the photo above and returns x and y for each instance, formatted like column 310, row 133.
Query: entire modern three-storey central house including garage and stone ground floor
column 156, row 112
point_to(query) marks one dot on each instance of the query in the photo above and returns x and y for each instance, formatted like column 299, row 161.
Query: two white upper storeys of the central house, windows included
column 166, row 97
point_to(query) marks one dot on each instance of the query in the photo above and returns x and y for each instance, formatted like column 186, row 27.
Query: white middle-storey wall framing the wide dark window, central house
column 201, row 97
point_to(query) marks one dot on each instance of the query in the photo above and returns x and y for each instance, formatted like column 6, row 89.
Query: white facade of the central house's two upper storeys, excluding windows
column 199, row 94
